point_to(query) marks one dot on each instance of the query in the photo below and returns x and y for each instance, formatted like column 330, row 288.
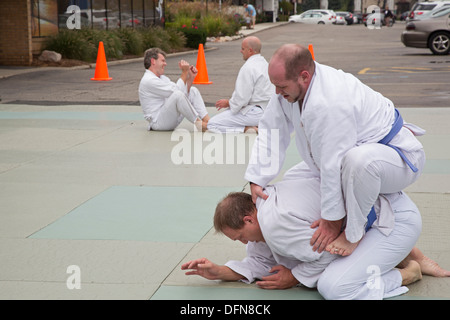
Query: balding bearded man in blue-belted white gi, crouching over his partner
column 344, row 132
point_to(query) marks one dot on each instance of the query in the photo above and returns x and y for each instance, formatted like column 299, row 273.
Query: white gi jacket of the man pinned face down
column 285, row 220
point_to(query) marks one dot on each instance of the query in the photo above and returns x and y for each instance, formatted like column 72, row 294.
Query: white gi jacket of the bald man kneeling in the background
column 253, row 86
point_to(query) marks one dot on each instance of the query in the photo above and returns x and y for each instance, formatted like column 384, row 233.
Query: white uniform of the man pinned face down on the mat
column 285, row 220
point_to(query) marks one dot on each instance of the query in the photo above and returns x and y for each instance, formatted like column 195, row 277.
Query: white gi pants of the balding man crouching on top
column 367, row 171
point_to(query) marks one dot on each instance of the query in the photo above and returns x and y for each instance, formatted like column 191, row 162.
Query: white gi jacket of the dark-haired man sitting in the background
column 154, row 91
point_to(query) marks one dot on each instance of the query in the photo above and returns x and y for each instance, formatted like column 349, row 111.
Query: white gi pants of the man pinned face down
column 369, row 272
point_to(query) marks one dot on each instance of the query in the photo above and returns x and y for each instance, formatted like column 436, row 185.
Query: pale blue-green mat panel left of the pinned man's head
column 167, row 214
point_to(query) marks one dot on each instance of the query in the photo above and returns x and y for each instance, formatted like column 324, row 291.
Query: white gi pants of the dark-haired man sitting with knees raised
column 177, row 107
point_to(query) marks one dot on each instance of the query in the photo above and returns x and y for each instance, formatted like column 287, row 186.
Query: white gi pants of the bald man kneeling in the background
column 226, row 121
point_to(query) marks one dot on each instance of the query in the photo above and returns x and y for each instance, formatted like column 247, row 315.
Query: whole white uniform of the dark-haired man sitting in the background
column 165, row 103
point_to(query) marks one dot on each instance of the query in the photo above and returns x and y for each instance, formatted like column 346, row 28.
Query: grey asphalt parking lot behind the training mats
column 409, row 76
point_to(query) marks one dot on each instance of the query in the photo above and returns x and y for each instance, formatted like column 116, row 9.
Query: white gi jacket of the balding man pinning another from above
column 338, row 113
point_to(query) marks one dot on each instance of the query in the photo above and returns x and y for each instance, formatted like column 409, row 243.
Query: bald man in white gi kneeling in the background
column 251, row 95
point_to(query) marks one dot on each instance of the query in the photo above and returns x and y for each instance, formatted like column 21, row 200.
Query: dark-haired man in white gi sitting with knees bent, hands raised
column 165, row 103
